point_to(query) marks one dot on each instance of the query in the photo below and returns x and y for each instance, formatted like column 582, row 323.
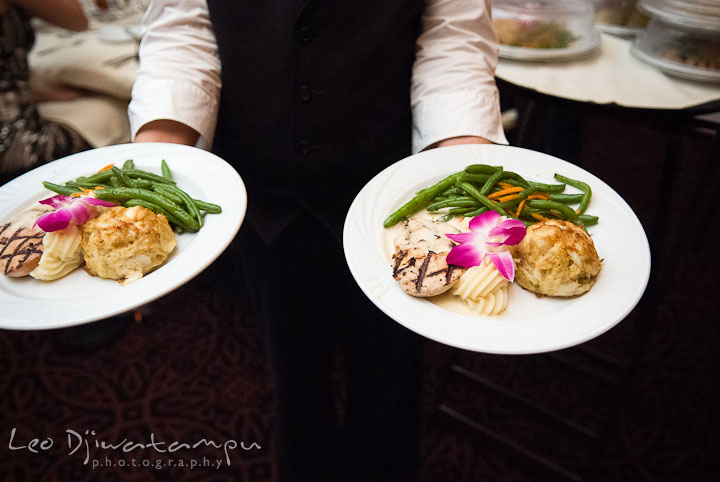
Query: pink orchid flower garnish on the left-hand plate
column 69, row 211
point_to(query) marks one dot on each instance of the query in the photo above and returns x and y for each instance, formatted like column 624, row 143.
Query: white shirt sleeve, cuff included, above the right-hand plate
column 453, row 86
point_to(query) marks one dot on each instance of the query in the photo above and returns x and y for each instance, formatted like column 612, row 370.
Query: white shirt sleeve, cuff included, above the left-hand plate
column 179, row 75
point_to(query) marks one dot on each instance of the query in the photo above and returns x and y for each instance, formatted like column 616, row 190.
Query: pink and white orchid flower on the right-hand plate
column 488, row 233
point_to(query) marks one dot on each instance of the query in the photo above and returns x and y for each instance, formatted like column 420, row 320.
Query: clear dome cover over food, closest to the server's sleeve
column 544, row 29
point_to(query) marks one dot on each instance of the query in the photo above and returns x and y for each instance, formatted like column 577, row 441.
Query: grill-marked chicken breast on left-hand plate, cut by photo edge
column 21, row 243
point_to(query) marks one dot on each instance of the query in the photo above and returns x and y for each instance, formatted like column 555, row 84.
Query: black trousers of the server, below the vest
column 309, row 306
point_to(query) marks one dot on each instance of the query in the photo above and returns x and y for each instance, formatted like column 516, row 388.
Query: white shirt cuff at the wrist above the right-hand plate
column 454, row 114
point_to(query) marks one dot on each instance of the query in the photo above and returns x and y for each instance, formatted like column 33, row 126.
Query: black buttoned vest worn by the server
column 315, row 99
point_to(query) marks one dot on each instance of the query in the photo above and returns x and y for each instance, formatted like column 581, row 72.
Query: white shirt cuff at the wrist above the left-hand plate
column 172, row 100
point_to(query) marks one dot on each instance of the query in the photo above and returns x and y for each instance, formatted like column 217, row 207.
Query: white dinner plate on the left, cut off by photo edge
column 29, row 304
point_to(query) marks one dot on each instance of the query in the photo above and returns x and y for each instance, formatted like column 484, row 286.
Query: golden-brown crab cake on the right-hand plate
column 556, row 258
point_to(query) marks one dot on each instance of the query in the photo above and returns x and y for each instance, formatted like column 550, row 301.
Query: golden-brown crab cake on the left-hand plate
column 126, row 243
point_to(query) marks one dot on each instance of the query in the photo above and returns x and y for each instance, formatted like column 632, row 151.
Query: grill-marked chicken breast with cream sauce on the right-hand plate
column 419, row 261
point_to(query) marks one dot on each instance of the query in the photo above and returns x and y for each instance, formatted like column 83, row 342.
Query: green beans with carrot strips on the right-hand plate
column 481, row 187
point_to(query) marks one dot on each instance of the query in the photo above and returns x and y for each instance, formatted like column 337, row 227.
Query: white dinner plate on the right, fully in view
column 530, row 324
